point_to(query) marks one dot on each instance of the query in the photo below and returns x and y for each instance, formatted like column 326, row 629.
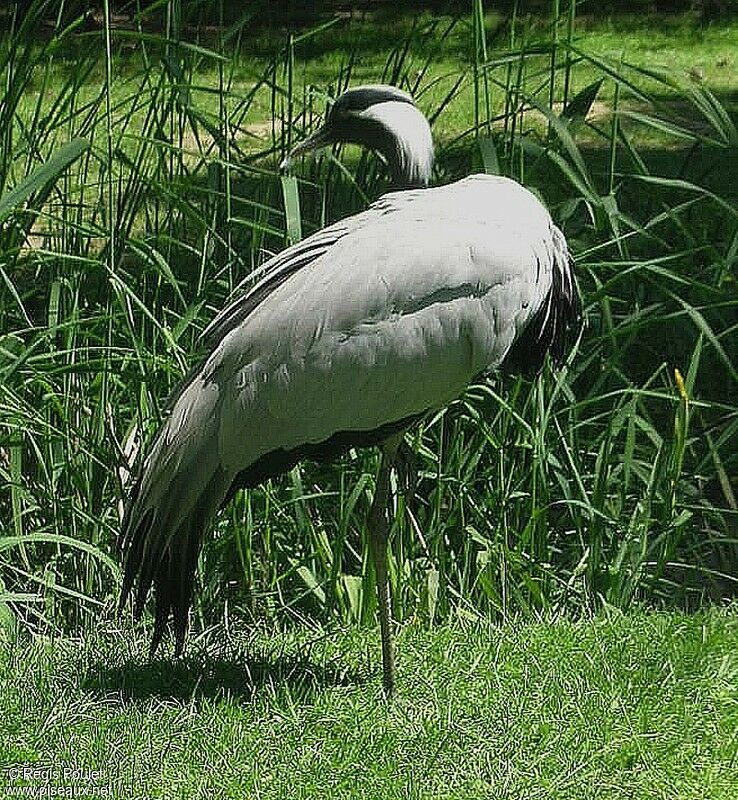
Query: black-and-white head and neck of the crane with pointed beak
column 384, row 119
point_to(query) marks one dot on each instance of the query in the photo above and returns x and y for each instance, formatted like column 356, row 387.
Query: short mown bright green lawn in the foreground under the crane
column 635, row 706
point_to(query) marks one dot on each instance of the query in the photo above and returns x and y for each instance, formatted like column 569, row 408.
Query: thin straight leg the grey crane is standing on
column 379, row 525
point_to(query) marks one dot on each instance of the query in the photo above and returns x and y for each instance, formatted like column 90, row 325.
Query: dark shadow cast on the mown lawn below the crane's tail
column 202, row 676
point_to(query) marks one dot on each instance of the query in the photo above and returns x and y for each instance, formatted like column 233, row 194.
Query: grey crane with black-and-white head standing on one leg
column 347, row 339
